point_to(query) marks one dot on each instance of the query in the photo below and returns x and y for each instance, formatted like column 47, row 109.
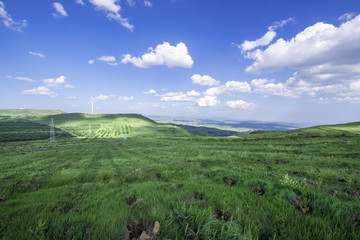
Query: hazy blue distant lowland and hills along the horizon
column 234, row 125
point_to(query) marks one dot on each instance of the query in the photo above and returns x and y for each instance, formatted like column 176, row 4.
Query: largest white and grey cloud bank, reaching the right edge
column 325, row 58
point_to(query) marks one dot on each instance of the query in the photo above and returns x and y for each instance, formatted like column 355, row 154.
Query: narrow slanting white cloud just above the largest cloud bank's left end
column 264, row 40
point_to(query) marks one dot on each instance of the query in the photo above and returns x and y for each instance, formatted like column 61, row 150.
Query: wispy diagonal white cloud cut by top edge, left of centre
column 112, row 9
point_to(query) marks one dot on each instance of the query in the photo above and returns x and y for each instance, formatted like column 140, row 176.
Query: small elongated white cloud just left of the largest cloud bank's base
column 229, row 88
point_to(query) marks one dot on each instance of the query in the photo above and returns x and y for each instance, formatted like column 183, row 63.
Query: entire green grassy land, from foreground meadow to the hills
column 299, row 184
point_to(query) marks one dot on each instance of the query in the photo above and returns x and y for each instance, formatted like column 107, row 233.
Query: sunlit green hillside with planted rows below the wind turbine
column 112, row 125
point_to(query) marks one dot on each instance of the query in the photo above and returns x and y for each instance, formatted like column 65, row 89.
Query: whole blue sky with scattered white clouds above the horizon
column 290, row 61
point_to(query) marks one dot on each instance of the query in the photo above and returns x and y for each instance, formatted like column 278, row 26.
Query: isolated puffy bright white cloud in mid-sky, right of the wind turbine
column 163, row 54
